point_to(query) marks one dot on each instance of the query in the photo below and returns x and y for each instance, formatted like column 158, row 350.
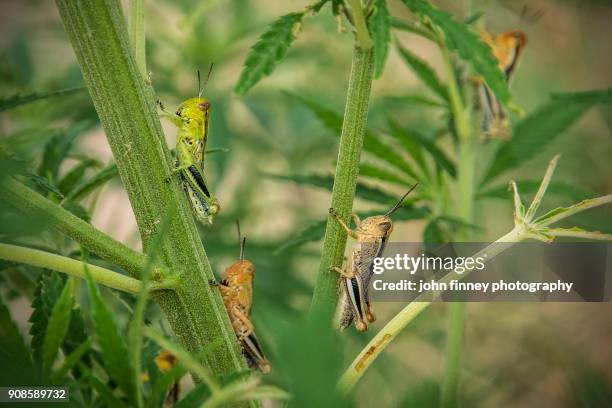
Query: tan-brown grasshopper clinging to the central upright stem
column 371, row 235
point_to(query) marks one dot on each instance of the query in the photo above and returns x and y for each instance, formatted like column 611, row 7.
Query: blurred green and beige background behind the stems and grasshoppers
column 516, row 354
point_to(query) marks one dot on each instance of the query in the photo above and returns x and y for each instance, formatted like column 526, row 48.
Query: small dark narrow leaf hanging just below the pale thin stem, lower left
column 47, row 293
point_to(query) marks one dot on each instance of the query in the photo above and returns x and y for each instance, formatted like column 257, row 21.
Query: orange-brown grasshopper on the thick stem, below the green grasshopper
column 237, row 292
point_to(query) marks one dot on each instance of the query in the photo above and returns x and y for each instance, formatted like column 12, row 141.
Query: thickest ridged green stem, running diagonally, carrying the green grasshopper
column 126, row 107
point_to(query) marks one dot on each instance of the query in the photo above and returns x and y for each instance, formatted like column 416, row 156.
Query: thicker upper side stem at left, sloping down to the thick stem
column 30, row 203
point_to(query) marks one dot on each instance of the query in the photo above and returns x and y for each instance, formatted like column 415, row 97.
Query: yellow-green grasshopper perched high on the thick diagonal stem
column 192, row 119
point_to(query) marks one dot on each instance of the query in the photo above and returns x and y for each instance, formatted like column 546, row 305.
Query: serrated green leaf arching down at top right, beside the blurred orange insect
column 469, row 46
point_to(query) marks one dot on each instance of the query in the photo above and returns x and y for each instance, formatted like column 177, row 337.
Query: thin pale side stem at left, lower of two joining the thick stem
column 68, row 266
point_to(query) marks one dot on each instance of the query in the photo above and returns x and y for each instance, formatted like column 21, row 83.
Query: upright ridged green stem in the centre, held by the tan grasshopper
column 347, row 168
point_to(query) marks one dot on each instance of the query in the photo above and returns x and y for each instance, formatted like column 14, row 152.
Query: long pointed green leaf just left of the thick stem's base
column 114, row 351
